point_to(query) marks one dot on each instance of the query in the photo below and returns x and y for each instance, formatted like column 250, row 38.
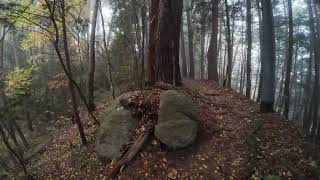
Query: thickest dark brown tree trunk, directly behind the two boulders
column 167, row 64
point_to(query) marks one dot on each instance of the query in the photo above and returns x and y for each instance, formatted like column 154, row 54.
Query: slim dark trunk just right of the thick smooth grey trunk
column 289, row 63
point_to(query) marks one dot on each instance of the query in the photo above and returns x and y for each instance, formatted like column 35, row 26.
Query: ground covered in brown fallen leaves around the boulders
column 234, row 141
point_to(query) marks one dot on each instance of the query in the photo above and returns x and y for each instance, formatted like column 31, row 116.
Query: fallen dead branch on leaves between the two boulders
column 132, row 152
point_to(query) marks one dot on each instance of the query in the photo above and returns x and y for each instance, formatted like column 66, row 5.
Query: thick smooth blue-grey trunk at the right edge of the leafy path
column 268, row 59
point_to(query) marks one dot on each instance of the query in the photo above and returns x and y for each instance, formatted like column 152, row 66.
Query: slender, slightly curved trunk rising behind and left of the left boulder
column 92, row 57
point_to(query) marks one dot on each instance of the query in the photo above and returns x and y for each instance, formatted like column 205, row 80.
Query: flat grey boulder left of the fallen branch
column 116, row 130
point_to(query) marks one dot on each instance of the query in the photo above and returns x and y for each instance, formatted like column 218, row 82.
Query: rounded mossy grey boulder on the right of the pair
column 177, row 124
